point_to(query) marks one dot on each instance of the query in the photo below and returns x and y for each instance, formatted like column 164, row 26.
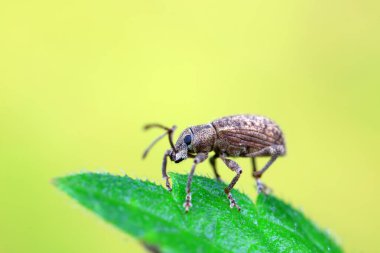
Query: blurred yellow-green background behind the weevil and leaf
column 78, row 79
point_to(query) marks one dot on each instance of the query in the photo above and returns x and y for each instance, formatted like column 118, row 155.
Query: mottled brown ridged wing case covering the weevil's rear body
column 249, row 131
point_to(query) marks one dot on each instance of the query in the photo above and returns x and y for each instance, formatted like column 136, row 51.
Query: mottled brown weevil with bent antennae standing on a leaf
column 232, row 136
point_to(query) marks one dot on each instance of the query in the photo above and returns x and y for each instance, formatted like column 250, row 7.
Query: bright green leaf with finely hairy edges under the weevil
column 156, row 217
